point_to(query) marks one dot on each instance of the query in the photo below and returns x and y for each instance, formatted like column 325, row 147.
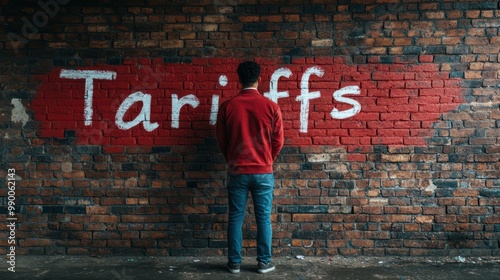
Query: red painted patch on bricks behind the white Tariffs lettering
column 399, row 102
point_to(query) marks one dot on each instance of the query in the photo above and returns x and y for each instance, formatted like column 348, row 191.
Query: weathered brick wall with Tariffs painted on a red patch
column 391, row 113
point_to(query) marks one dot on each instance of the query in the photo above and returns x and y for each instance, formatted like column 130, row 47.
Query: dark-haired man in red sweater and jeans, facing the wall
column 250, row 135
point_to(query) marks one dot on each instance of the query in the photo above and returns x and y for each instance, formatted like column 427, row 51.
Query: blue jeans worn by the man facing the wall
column 261, row 187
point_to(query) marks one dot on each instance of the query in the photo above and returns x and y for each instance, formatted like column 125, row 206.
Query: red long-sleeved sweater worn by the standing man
column 250, row 132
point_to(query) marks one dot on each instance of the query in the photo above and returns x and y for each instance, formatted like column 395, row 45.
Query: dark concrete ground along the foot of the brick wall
column 135, row 268
